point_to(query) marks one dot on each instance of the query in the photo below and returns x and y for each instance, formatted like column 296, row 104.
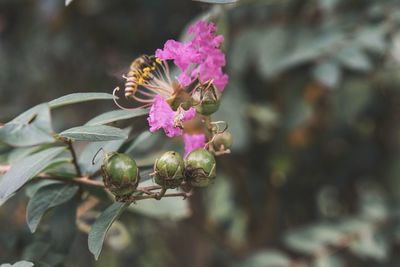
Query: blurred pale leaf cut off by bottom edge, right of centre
column 266, row 258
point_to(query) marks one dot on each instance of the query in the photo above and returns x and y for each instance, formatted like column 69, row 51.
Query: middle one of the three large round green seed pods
column 168, row 170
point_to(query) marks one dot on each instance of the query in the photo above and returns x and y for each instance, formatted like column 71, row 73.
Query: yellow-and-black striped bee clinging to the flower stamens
column 141, row 72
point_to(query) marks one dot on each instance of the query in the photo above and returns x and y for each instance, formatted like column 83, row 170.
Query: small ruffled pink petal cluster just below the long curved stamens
column 162, row 116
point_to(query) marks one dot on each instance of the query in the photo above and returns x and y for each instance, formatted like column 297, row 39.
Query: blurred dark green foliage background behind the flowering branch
column 313, row 103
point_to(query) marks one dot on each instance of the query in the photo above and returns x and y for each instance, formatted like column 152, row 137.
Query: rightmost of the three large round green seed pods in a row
column 200, row 167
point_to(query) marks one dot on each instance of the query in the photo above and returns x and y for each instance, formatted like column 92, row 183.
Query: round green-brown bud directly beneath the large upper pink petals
column 206, row 99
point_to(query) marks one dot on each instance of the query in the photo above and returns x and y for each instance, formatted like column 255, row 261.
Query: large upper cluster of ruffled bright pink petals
column 199, row 58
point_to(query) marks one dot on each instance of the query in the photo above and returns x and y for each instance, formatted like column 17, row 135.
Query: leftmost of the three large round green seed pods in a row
column 120, row 174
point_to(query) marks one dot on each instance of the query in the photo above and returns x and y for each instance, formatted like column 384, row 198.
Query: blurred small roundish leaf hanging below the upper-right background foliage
column 328, row 73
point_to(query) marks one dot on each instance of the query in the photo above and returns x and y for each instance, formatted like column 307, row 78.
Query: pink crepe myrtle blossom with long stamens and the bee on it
column 149, row 81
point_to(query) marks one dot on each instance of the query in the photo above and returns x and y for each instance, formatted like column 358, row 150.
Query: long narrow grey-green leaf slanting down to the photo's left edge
column 24, row 170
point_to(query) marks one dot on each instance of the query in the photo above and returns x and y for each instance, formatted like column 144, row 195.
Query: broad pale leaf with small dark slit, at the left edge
column 33, row 127
